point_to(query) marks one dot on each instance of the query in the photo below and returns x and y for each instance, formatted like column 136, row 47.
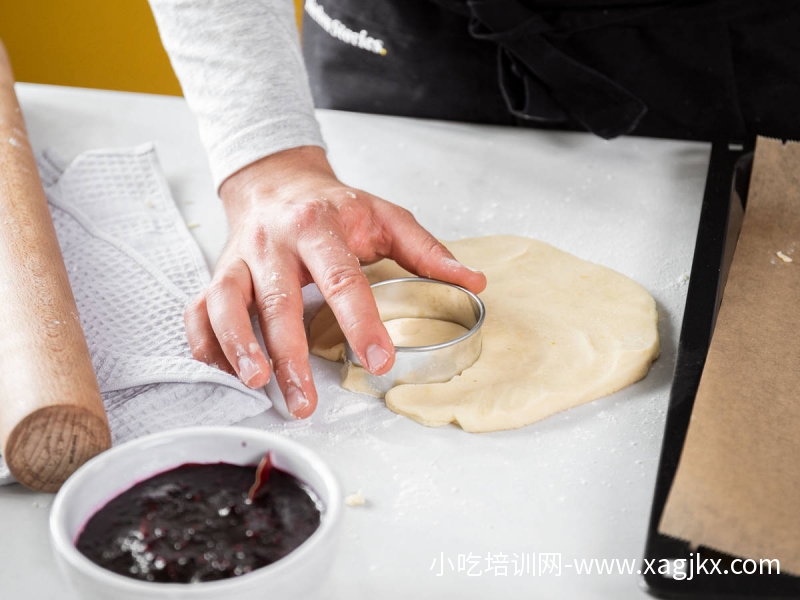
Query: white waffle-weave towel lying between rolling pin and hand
column 134, row 267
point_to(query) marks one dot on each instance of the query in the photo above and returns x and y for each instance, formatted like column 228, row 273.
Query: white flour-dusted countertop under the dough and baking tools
column 579, row 483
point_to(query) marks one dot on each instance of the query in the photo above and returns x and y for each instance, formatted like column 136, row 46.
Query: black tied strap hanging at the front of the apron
column 541, row 83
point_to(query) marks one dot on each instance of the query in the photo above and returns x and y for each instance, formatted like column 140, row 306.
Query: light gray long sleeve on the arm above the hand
column 242, row 73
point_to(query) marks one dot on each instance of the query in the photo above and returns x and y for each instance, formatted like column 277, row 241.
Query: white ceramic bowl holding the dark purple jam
column 116, row 470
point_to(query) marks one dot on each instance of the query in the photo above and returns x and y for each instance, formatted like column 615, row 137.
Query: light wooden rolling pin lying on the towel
column 52, row 418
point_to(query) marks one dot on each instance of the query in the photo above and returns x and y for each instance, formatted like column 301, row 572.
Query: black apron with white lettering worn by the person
column 699, row 70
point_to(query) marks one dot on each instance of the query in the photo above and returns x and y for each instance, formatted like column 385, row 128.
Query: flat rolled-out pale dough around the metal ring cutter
column 559, row 331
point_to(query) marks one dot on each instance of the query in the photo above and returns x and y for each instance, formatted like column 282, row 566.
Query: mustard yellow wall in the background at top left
column 109, row 44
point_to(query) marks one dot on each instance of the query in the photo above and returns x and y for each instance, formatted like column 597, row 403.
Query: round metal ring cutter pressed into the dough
column 417, row 297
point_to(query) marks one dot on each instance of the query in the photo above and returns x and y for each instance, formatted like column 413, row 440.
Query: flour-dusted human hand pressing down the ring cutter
column 292, row 222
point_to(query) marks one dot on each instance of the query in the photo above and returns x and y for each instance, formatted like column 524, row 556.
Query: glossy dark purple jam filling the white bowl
column 195, row 523
